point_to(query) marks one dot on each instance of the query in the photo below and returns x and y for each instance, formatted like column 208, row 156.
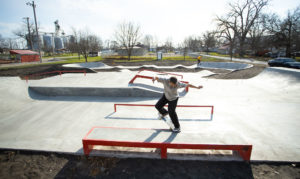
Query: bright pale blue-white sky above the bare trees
column 163, row 19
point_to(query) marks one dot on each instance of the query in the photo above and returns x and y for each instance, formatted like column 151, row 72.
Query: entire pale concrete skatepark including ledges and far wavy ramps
column 56, row 113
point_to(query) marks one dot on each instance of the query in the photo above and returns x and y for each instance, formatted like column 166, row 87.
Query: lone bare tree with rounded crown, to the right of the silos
column 127, row 35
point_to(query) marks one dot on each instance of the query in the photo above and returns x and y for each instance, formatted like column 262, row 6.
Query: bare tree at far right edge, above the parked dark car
column 285, row 32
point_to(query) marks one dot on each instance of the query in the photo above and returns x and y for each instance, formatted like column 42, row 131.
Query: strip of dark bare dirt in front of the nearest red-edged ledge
column 18, row 164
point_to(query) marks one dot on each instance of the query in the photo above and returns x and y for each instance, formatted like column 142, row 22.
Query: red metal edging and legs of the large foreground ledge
column 243, row 150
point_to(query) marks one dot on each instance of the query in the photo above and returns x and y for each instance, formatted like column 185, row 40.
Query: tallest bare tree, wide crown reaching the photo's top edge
column 241, row 17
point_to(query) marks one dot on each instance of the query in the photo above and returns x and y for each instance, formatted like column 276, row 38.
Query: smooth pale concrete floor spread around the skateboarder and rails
column 262, row 111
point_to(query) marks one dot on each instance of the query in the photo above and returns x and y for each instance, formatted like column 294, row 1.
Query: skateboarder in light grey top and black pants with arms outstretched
column 170, row 96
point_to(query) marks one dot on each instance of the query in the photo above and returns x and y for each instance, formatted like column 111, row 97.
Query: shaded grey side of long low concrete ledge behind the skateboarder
column 95, row 91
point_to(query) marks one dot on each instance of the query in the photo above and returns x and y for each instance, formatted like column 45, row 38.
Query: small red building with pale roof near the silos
column 25, row 55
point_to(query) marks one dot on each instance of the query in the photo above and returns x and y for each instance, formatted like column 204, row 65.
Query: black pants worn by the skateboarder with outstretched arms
column 171, row 109
